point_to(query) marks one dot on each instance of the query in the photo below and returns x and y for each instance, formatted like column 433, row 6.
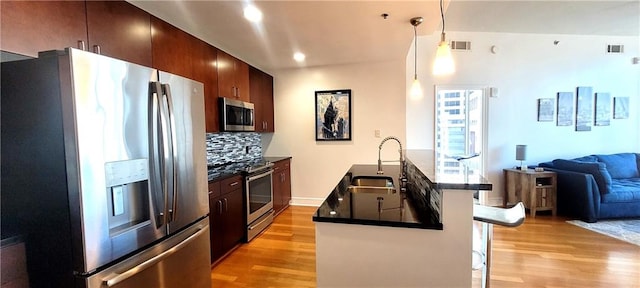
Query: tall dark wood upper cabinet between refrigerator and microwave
column 204, row 70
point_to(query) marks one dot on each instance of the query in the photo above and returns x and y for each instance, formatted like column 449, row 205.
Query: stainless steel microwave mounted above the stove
column 236, row 115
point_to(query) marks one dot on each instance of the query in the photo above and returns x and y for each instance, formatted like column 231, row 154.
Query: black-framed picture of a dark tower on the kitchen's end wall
column 333, row 115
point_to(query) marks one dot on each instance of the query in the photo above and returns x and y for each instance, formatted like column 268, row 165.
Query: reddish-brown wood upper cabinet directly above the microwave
column 233, row 77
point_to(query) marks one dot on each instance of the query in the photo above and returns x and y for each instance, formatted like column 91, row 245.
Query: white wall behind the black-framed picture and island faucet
column 378, row 102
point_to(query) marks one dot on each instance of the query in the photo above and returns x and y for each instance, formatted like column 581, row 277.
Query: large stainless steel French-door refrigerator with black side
column 104, row 172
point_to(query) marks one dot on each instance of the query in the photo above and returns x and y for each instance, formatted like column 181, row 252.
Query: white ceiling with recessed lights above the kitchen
column 344, row 32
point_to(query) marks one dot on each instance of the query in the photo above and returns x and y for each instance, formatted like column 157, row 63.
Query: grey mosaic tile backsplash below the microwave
column 228, row 147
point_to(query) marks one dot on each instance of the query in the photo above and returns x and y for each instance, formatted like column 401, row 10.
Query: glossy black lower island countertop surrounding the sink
column 395, row 210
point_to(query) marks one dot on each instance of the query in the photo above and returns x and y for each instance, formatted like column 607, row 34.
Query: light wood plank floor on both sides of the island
column 543, row 252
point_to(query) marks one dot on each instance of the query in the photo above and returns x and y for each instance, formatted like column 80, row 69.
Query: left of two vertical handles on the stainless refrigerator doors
column 158, row 148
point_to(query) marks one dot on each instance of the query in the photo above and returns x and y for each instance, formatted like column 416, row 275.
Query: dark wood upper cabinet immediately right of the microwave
column 261, row 92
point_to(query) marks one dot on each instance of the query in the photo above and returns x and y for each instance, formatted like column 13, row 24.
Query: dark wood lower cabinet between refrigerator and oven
column 226, row 220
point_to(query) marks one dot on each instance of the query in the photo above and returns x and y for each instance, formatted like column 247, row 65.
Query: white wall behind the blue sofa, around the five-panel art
column 525, row 68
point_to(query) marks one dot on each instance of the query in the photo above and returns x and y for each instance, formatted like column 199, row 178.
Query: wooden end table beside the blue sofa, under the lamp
column 537, row 190
